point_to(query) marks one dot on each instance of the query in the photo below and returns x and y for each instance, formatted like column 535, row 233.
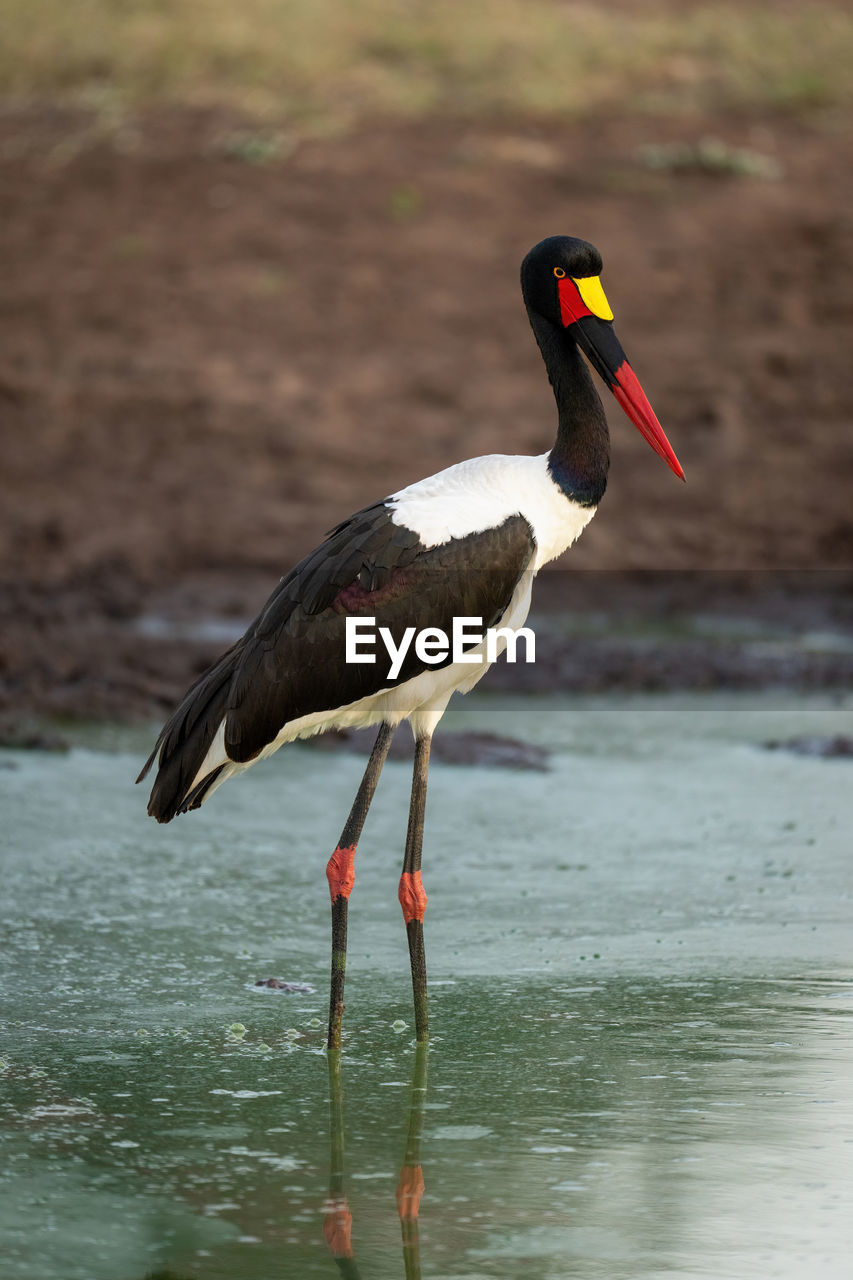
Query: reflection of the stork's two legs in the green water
column 337, row 1227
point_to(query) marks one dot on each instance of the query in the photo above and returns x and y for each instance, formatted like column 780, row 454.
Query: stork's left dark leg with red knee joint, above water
column 340, row 874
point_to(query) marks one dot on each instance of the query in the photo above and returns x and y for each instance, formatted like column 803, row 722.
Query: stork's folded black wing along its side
column 291, row 661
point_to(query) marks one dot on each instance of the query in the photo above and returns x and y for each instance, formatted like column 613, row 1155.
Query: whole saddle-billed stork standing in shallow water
column 464, row 543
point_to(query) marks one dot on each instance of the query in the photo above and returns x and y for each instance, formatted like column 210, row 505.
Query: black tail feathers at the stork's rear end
column 185, row 742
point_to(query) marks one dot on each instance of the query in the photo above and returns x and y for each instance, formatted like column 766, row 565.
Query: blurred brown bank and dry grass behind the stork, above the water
column 261, row 268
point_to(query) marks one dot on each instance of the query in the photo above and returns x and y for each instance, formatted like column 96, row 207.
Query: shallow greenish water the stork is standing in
column 641, row 1007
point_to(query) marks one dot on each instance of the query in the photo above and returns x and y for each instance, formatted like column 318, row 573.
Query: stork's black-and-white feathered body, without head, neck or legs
column 410, row 561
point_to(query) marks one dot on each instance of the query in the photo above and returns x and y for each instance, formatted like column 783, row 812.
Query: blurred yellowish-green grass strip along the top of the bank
column 339, row 61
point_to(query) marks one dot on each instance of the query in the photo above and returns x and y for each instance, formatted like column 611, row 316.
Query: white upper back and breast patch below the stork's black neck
column 482, row 493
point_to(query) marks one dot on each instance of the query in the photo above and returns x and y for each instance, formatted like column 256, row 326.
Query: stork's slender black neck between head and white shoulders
column 581, row 456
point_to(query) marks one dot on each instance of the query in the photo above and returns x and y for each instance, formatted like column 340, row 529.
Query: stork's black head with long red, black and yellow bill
column 560, row 281
